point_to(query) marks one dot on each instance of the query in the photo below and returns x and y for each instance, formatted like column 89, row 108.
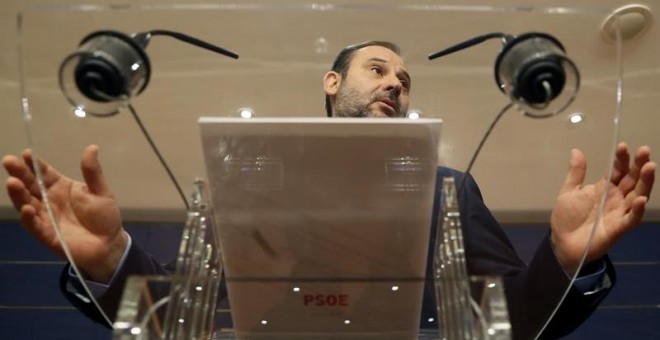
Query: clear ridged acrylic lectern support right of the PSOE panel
column 469, row 308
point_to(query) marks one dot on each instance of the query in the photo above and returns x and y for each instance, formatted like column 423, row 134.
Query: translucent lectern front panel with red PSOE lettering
column 323, row 235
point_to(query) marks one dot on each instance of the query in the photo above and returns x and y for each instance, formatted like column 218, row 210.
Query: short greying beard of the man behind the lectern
column 351, row 103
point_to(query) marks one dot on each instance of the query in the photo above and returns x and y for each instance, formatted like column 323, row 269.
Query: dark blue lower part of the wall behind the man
column 31, row 306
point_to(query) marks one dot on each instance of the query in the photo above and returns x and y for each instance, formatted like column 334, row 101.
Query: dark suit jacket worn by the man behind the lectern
column 533, row 291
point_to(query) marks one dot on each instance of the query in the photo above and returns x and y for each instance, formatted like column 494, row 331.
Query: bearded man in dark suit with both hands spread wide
column 370, row 80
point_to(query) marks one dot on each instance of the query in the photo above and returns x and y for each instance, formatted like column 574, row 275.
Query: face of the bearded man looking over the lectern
column 376, row 85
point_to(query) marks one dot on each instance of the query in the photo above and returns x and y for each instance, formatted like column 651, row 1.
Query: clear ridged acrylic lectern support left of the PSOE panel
column 182, row 306
